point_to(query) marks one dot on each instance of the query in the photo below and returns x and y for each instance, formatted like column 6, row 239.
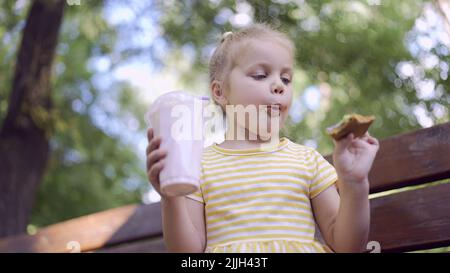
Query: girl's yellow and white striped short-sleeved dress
column 258, row 200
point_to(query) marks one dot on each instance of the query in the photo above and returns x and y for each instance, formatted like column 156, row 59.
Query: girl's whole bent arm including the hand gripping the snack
column 344, row 218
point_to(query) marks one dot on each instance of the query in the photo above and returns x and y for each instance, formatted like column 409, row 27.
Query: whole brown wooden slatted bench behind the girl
column 415, row 218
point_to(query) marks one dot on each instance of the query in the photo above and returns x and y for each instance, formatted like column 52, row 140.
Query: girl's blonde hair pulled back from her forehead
column 224, row 57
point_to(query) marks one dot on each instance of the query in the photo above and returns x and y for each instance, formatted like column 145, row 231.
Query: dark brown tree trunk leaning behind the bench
column 24, row 145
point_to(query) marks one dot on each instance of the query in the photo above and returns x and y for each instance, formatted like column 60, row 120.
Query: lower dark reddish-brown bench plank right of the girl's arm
column 412, row 220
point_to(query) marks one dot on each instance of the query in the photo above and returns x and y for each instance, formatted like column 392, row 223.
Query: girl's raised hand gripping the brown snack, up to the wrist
column 353, row 157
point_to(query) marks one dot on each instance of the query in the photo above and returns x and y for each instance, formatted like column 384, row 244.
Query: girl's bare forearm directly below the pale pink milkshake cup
column 183, row 224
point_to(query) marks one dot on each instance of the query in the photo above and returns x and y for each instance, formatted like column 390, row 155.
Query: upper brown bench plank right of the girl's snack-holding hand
column 410, row 159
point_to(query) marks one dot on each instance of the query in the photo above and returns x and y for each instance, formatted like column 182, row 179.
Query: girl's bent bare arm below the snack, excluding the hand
column 344, row 220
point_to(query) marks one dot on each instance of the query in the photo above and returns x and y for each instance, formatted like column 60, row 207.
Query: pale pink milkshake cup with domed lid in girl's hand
column 177, row 117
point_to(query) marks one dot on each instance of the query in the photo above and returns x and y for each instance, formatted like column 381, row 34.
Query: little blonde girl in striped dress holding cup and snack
column 255, row 198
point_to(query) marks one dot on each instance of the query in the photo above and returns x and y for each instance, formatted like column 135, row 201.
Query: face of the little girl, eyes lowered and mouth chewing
column 262, row 75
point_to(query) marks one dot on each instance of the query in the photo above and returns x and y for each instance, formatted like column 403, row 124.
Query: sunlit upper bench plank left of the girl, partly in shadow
column 94, row 231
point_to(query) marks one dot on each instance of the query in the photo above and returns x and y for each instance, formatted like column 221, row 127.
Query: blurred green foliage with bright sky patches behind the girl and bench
column 389, row 58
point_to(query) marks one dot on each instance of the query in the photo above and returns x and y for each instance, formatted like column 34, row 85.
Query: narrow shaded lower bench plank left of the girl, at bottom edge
column 155, row 245
